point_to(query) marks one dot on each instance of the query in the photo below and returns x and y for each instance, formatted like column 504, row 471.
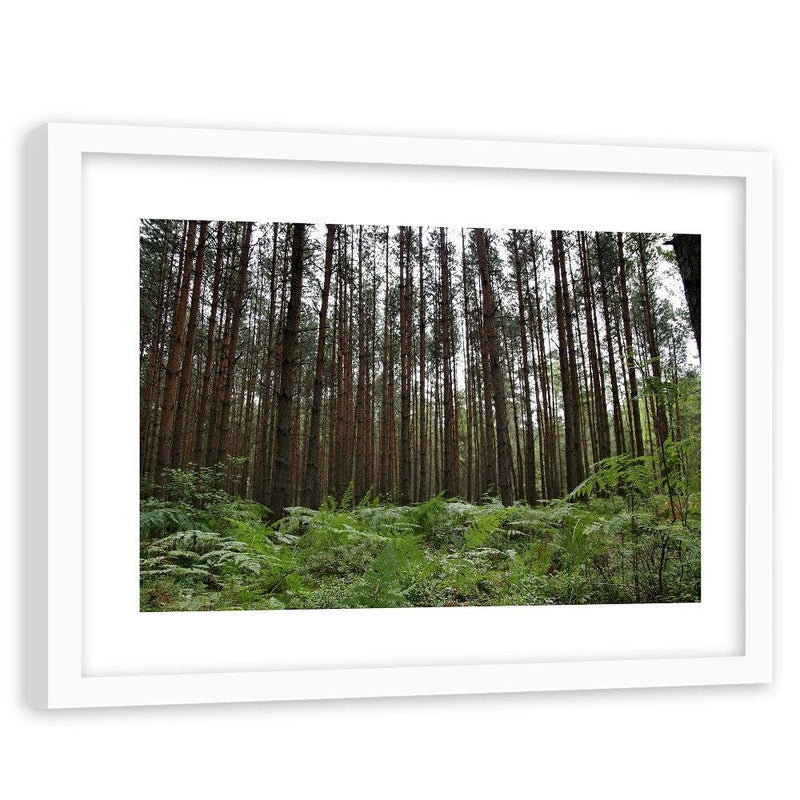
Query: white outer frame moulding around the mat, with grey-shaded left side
column 53, row 305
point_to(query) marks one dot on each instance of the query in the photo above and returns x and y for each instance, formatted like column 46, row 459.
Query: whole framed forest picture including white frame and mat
column 317, row 416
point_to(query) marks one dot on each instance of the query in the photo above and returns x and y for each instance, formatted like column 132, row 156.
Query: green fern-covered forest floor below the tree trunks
column 221, row 553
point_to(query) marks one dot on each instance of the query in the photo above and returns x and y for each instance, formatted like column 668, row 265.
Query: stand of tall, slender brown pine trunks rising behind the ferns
column 304, row 367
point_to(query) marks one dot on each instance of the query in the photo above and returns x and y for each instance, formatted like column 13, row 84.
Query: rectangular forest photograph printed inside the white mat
column 362, row 416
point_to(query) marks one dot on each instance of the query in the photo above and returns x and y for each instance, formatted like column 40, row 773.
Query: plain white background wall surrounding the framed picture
column 682, row 73
